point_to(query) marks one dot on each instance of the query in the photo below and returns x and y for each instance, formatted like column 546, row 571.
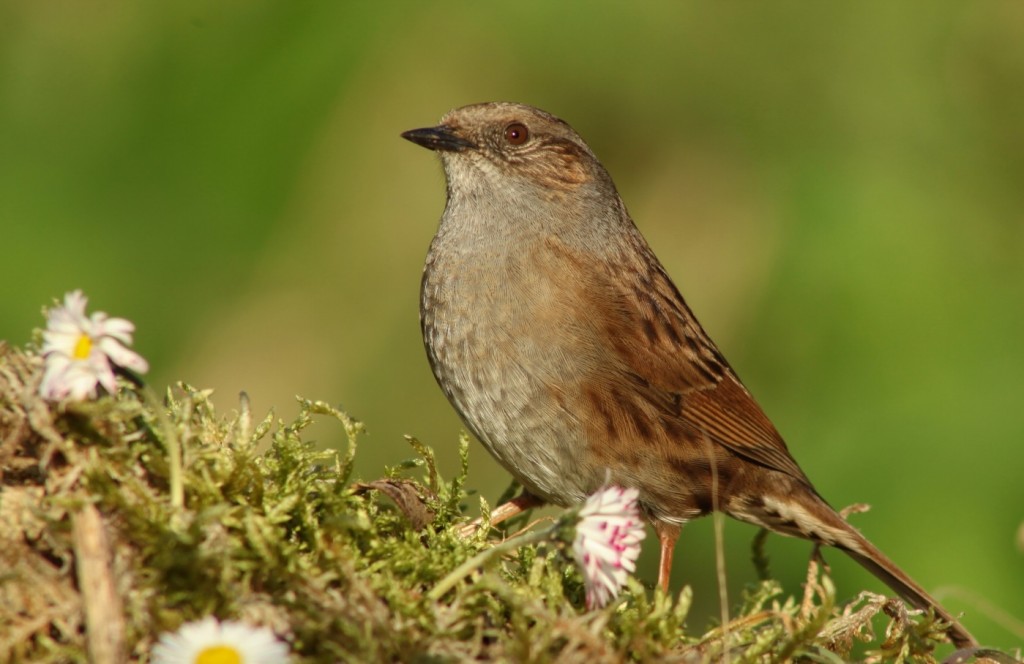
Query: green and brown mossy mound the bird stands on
column 121, row 519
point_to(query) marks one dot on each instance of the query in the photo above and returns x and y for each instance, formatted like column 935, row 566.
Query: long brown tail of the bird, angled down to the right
column 804, row 514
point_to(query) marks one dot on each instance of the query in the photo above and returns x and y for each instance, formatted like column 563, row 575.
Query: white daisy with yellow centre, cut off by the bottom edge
column 209, row 642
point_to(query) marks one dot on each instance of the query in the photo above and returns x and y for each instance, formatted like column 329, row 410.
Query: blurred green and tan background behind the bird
column 839, row 191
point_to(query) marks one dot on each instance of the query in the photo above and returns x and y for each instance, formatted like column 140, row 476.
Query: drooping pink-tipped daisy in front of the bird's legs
column 608, row 543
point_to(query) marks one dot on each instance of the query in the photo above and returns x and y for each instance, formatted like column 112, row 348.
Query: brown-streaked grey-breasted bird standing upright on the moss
column 568, row 351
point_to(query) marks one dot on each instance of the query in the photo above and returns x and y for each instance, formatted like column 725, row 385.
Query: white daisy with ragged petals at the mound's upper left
column 80, row 351
